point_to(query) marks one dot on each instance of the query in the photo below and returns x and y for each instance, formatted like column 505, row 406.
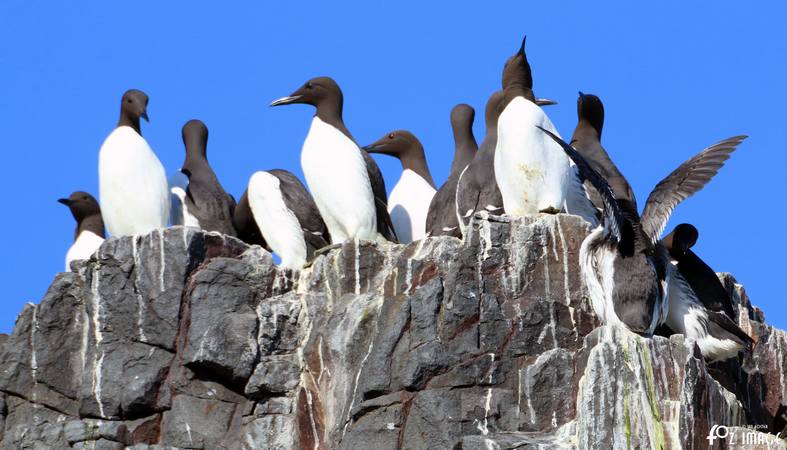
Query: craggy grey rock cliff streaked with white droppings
column 187, row 339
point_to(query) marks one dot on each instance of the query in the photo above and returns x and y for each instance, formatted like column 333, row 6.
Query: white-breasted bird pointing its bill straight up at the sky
column 531, row 175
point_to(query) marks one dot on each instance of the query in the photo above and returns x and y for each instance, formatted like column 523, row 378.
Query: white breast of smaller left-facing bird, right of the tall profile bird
column 408, row 206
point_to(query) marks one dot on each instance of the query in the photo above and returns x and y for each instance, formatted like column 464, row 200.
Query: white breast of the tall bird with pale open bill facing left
column 336, row 173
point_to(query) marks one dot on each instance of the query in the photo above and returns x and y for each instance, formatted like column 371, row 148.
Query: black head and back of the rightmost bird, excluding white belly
column 702, row 279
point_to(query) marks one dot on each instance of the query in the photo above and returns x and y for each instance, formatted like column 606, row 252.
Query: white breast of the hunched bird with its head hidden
column 277, row 223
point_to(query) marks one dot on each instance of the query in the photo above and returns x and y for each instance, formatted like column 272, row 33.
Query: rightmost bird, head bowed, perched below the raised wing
column 699, row 306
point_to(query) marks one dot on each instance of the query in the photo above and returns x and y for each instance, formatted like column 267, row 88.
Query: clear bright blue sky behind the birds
column 674, row 76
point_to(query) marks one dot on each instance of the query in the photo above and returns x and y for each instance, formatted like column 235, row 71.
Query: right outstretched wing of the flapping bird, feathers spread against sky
column 682, row 183
